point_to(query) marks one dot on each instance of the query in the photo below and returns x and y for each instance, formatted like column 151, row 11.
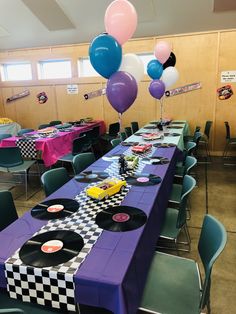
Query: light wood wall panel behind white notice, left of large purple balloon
column 75, row 107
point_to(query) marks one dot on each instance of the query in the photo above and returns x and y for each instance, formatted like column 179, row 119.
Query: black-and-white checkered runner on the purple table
column 54, row 286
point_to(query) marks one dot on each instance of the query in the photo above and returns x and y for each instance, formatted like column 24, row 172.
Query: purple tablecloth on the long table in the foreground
column 113, row 274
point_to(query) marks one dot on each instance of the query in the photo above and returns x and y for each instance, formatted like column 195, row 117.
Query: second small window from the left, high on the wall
column 53, row 69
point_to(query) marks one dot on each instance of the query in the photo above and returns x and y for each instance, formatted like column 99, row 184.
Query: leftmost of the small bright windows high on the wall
column 16, row 71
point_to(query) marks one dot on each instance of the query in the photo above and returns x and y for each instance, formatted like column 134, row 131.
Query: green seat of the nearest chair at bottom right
column 172, row 286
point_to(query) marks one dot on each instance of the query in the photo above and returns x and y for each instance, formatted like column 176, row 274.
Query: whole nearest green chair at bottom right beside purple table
column 173, row 283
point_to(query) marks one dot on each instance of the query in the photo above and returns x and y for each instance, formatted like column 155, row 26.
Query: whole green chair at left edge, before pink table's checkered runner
column 11, row 161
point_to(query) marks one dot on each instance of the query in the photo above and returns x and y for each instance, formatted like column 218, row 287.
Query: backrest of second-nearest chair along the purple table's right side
column 188, row 184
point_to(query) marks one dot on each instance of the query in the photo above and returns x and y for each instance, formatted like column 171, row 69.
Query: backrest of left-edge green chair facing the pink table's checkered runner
column 10, row 157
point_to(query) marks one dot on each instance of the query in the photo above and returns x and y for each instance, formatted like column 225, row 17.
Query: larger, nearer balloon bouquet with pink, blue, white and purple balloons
column 105, row 54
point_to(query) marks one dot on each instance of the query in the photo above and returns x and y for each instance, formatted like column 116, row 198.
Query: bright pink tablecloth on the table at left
column 53, row 148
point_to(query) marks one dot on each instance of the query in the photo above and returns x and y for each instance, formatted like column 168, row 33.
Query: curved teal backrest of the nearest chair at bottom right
column 211, row 243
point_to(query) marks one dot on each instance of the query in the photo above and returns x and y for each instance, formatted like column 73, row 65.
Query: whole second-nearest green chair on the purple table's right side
column 176, row 220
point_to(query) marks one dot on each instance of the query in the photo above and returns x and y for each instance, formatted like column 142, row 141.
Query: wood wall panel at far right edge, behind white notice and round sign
column 226, row 109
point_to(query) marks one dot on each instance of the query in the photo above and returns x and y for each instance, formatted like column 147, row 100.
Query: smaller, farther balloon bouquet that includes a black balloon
column 162, row 71
